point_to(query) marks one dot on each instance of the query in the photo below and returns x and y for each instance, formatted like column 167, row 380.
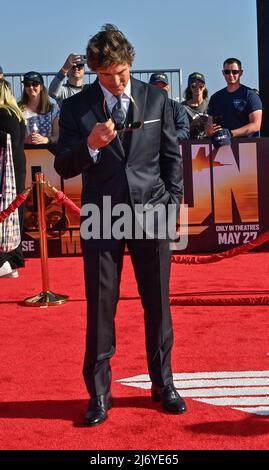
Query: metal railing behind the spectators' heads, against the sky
column 174, row 77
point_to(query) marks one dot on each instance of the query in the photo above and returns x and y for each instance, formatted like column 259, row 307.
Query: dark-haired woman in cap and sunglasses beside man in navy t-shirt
column 196, row 104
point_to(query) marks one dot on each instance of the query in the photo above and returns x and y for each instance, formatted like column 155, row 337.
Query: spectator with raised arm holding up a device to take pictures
column 74, row 69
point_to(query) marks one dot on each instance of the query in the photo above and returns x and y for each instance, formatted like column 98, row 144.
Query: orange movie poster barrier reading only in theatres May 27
column 226, row 196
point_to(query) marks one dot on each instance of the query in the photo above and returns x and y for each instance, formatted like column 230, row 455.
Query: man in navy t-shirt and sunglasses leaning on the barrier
column 236, row 107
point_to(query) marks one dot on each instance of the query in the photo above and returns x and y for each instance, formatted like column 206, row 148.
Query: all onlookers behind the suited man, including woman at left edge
column 233, row 111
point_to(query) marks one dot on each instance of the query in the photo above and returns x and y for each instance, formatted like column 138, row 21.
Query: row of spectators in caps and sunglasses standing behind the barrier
column 236, row 108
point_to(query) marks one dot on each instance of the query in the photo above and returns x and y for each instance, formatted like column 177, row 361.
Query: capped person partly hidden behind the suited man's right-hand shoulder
column 180, row 117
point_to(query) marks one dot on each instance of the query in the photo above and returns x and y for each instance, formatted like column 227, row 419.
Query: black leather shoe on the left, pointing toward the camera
column 97, row 410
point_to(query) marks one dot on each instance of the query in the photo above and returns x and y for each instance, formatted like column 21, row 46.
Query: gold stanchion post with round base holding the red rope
column 46, row 297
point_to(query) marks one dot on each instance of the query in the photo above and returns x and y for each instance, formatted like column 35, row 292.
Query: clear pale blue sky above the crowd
column 194, row 35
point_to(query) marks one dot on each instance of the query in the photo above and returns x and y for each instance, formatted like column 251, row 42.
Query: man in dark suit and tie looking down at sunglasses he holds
column 119, row 134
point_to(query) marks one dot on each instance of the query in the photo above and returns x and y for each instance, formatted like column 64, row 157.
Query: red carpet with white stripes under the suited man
column 220, row 361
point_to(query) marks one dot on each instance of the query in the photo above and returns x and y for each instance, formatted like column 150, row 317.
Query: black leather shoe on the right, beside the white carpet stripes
column 169, row 397
